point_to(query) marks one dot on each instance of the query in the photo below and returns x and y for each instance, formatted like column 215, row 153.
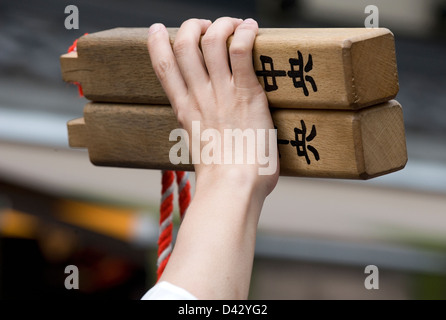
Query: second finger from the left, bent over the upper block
column 188, row 54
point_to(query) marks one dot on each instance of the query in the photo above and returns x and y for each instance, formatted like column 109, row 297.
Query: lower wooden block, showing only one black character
column 332, row 143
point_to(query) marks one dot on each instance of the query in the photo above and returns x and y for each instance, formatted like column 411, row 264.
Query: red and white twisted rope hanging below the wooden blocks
column 166, row 212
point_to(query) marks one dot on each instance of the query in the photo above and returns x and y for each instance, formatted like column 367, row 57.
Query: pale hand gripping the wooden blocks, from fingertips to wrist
column 221, row 92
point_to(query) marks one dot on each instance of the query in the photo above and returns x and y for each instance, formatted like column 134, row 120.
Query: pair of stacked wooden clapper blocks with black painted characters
column 329, row 92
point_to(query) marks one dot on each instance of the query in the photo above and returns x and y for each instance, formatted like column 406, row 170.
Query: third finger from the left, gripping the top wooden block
column 215, row 50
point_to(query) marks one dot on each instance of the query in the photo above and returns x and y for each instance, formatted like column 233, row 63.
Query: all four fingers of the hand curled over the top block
column 186, row 68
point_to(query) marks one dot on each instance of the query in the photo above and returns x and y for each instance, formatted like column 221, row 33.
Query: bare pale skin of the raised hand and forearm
column 214, row 249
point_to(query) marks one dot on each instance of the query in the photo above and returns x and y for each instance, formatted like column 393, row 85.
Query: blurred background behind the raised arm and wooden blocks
column 315, row 236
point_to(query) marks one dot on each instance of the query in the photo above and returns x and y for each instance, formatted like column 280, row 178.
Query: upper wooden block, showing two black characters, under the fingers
column 340, row 68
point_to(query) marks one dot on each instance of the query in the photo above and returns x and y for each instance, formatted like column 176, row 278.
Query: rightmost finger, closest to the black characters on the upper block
column 240, row 53
